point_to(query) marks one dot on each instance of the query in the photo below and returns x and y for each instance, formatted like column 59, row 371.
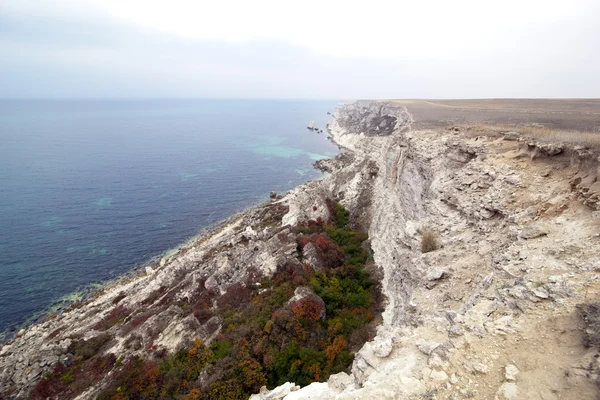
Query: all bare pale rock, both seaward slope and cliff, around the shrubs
column 490, row 313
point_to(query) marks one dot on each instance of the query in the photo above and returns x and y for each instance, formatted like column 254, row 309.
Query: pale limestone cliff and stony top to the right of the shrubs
column 492, row 312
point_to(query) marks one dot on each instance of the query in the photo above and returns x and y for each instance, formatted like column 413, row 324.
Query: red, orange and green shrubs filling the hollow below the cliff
column 266, row 339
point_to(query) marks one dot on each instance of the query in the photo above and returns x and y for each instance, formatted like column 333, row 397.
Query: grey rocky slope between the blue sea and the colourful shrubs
column 146, row 313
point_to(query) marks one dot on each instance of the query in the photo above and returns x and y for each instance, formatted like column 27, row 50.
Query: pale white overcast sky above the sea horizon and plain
column 302, row 49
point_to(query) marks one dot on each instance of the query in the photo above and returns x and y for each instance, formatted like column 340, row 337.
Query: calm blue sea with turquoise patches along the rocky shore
column 91, row 189
